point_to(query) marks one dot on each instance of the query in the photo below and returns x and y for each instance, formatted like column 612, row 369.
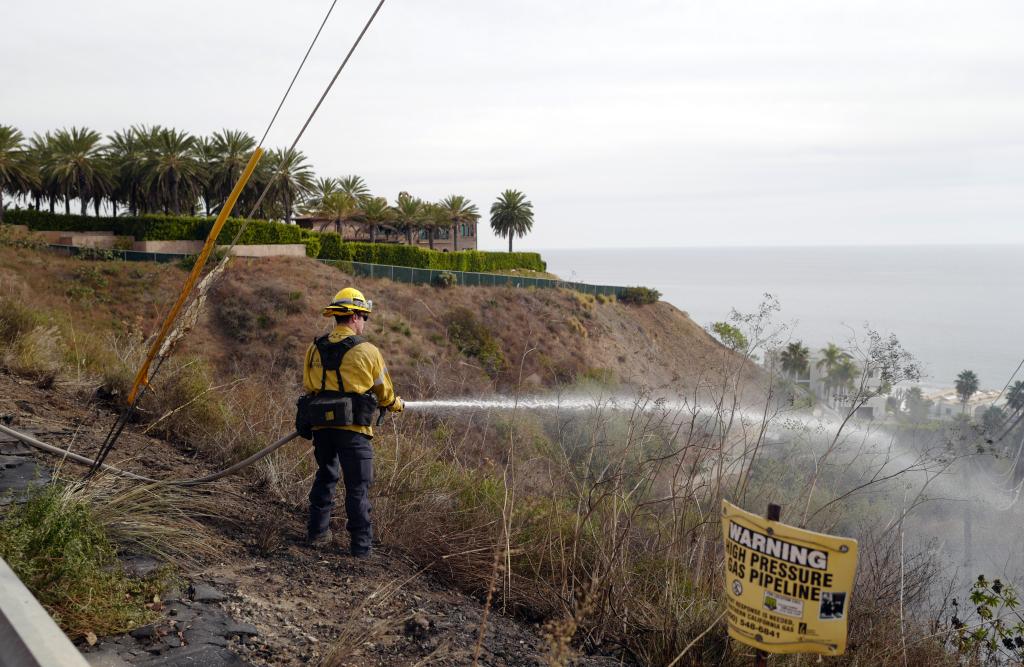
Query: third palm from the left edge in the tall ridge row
column 74, row 160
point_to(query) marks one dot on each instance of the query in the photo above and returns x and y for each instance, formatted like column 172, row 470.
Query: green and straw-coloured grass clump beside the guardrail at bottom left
column 63, row 543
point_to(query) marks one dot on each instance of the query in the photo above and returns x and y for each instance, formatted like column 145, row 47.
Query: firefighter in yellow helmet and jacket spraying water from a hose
column 349, row 390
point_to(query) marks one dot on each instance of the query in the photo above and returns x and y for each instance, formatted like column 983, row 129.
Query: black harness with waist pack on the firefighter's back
column 330, row 408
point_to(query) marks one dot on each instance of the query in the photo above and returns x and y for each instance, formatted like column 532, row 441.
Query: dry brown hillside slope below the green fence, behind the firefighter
column 264, row 314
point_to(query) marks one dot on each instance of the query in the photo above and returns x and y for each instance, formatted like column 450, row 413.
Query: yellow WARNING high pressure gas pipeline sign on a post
column 789, row 590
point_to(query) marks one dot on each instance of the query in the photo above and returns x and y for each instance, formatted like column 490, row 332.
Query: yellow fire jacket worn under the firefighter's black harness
column 363, row 370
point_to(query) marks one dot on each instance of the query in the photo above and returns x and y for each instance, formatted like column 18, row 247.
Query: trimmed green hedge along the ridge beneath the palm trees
column 326, row 246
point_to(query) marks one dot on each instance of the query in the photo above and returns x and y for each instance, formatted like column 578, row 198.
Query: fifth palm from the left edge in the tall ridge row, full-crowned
column 175, row 172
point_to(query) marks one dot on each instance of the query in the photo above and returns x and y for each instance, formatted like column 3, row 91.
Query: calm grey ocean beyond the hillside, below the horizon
column 955, row 308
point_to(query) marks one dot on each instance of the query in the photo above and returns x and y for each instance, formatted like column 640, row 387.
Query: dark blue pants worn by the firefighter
column 349, row 455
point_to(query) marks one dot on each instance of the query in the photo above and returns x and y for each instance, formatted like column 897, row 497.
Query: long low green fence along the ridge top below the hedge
column 414, row 275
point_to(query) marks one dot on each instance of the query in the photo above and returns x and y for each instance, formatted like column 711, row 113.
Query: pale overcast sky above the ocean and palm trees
column 643, row 123
